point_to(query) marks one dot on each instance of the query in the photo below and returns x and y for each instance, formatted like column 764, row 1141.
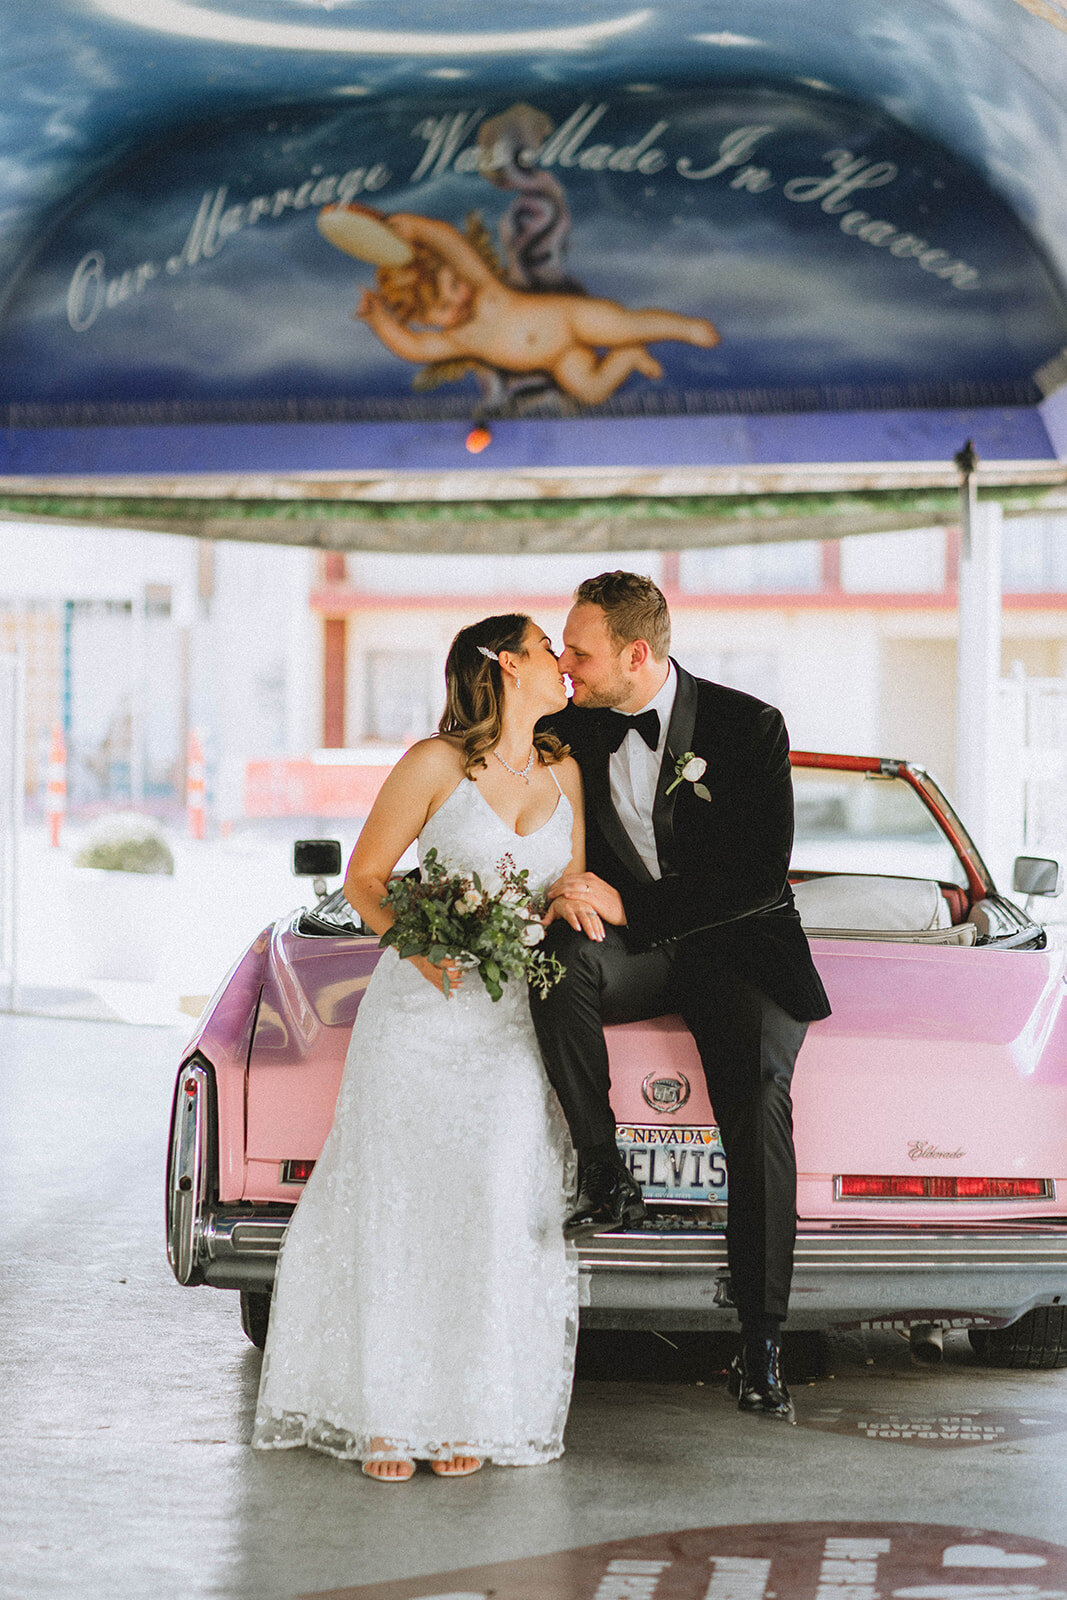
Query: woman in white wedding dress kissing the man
column 426, row 1305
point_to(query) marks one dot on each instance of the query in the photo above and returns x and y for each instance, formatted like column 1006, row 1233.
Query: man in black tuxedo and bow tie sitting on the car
column 690, row 823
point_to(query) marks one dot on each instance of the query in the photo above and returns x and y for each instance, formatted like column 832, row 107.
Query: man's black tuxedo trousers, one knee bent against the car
column 748, row 1047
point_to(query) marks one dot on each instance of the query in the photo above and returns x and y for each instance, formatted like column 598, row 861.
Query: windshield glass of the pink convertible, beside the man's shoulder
column 866, row 823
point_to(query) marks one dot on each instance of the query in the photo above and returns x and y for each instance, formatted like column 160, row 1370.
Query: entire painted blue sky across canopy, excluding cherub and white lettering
column 121, row 119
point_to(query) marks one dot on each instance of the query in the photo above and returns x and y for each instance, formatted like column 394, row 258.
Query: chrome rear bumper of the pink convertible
column 844, row 1276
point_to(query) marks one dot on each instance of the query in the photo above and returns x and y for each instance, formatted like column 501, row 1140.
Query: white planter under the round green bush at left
column 121, row 922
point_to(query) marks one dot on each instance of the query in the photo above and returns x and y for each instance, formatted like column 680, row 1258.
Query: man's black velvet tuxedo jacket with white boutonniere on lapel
column 725, row 862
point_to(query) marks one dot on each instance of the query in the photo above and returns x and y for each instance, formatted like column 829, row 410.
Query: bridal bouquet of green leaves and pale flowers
column 490, row 922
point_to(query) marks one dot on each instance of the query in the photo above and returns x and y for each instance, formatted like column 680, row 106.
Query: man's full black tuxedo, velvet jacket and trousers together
column 714, row 938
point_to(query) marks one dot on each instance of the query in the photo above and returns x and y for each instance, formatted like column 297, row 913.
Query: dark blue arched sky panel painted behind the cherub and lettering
column 788, row 247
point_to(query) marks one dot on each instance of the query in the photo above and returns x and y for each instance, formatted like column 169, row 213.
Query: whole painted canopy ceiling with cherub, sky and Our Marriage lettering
column 850, row 215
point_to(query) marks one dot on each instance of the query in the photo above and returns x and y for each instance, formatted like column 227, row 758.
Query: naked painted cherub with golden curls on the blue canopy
column 444, row 303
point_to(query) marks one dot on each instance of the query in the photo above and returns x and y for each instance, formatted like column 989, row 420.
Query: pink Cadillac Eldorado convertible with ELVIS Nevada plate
column 932, row 1106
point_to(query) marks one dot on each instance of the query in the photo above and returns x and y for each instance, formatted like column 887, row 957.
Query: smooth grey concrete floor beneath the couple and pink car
column 129, row 1401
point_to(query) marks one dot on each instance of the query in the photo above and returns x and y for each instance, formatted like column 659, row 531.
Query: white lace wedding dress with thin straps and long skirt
column 425, row 1294
